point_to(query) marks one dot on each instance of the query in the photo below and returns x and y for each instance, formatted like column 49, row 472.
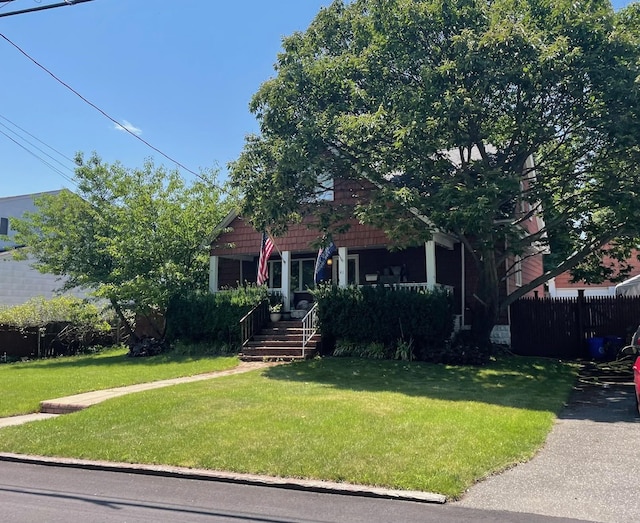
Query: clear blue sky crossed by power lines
column 179, row 73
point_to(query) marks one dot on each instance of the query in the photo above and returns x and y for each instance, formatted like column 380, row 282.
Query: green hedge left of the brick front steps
column 206, row 317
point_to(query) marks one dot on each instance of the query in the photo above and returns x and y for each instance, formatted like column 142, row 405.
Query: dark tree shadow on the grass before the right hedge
column 518, row 382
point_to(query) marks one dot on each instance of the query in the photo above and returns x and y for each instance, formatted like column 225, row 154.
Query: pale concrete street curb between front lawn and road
column 229, row 477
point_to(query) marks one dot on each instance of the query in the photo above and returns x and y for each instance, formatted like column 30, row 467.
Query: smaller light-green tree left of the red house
column 136, row 237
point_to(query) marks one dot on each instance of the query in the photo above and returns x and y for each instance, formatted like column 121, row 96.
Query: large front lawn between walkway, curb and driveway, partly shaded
column 388, row 423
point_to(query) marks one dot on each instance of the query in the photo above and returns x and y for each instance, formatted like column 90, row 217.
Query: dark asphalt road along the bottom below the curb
column 54, row 494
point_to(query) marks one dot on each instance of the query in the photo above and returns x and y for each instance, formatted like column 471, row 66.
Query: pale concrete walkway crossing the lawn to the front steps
column 54, row 407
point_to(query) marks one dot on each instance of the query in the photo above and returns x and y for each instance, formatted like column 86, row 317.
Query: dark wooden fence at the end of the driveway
column 560, row 327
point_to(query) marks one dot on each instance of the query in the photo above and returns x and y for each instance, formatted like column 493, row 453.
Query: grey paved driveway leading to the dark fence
column 589, row 467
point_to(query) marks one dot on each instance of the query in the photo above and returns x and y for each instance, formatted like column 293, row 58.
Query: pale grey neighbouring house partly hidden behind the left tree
column 18, row 280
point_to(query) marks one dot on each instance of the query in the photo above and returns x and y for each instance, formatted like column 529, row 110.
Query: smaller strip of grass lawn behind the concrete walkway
column 24, row 385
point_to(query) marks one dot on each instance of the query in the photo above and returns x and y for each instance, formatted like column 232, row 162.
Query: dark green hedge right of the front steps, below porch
column 387, row 316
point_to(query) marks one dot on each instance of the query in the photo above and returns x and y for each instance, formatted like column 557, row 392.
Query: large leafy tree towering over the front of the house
column 438, row 104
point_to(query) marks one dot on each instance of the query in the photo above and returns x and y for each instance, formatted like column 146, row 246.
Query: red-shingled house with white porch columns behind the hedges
column 363, row 257
